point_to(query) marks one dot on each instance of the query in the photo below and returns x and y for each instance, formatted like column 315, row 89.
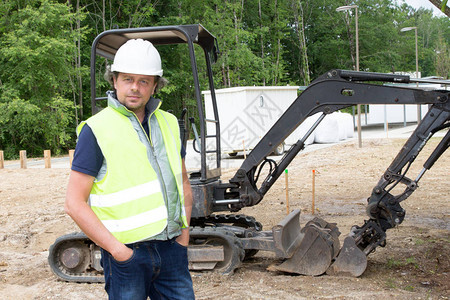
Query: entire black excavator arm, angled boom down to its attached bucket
column 335, row 90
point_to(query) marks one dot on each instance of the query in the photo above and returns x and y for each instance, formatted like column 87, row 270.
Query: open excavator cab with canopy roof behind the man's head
column 107, row 43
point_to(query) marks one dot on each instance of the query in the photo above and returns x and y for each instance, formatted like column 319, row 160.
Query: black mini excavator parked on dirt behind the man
column 220, row 242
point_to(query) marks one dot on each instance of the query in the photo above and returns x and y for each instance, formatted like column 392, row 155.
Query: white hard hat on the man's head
column 137, row 56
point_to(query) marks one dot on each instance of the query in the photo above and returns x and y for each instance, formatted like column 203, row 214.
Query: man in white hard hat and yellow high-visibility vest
column 128, row 189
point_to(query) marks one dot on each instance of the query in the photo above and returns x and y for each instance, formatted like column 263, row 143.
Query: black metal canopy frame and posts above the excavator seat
column 107, row 43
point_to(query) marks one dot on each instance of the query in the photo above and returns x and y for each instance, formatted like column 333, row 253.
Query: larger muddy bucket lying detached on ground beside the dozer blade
column 315, row 251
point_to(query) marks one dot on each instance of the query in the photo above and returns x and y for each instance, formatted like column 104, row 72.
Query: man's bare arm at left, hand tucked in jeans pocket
column 76, row 207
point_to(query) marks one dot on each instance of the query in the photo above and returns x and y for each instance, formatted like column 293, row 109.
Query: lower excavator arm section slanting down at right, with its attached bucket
column 383, row 207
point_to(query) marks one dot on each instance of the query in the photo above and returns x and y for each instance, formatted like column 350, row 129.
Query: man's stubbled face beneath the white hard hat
column 134, row 90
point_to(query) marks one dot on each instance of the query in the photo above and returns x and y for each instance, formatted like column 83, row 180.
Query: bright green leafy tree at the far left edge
column 36, row 54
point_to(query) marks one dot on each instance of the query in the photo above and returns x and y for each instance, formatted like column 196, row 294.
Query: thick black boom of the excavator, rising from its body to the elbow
column 335, row 90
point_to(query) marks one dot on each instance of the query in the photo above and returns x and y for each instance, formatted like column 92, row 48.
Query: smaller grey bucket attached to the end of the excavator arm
column 351, row 261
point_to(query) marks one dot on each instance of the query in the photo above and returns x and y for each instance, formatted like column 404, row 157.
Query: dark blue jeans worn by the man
column 157, row 269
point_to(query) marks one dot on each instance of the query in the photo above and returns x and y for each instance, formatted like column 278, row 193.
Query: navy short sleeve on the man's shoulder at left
column 88, row 157
